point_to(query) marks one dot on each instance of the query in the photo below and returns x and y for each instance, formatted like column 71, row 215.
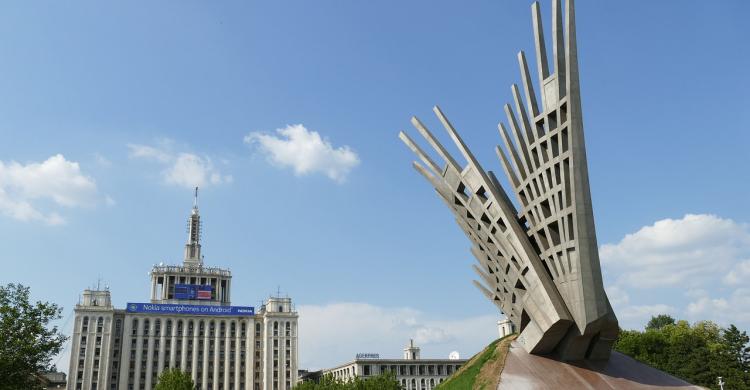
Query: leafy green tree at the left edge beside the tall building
column 27, row 342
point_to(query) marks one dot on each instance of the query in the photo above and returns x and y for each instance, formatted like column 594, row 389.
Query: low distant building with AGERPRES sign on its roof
column 413, row 372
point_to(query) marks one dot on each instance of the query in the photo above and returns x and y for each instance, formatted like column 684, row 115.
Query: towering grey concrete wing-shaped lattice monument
column 539, row 264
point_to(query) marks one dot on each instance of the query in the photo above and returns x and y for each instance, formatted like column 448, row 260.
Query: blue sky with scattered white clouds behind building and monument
column 140, row 100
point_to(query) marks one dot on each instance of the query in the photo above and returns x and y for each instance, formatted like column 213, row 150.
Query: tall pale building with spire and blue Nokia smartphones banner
column 188, row 323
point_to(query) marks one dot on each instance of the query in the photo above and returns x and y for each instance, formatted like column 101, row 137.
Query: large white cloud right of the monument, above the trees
column 687, row 251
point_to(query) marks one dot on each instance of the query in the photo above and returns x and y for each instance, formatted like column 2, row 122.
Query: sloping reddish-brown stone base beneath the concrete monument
column 526, row 371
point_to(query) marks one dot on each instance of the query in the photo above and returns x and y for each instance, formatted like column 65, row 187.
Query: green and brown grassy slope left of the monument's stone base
column 483, row 370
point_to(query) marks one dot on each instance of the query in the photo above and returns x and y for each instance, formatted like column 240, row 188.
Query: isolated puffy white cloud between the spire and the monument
column 306, row 152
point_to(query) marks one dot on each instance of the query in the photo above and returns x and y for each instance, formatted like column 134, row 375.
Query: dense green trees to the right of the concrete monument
column 698, row 354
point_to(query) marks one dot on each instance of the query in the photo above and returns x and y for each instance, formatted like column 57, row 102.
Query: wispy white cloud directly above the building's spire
column 181, row 169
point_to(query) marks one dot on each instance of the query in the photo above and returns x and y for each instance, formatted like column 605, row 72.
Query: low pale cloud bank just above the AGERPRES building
column 333, row 334
